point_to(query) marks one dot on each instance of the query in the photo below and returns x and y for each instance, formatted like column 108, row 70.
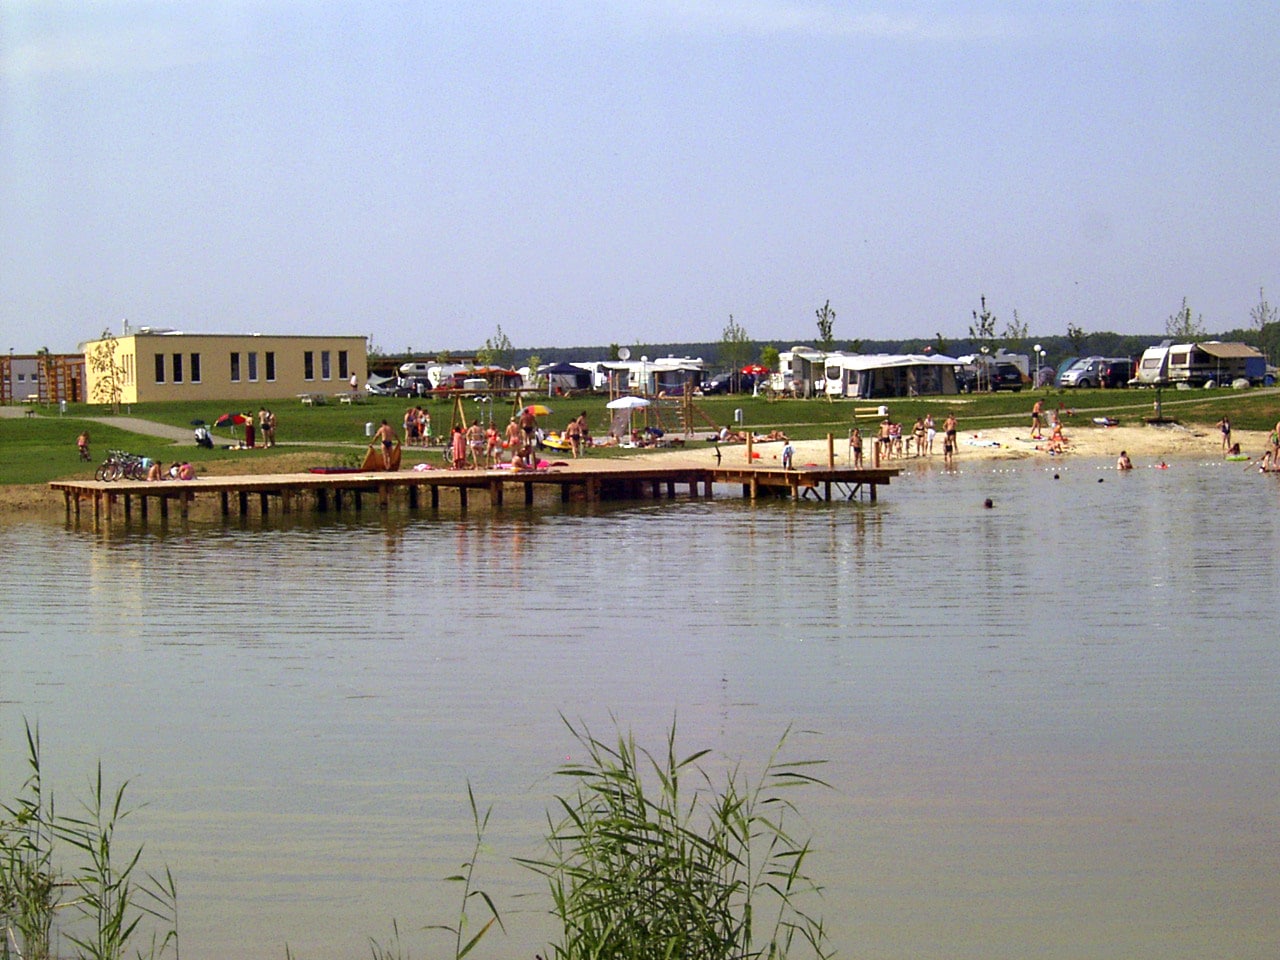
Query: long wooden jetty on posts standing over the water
column 588, row 482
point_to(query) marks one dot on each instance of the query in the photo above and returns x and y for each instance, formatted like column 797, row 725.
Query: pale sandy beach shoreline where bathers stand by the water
column 1146, row 446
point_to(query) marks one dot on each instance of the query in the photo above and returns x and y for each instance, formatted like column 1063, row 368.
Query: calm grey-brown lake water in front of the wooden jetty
column 1053, row 726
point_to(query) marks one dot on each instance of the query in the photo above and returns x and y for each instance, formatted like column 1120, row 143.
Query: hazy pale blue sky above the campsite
column 593, row 172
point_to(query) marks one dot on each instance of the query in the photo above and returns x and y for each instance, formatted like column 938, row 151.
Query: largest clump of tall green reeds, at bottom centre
column 641, row 867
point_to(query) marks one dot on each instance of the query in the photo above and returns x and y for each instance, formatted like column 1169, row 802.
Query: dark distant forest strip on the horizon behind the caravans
column 1057, row 349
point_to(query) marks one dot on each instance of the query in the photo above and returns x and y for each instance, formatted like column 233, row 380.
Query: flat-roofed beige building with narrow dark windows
column 167, row 365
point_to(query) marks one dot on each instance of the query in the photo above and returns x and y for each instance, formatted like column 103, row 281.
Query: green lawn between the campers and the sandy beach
column 42, row 449
